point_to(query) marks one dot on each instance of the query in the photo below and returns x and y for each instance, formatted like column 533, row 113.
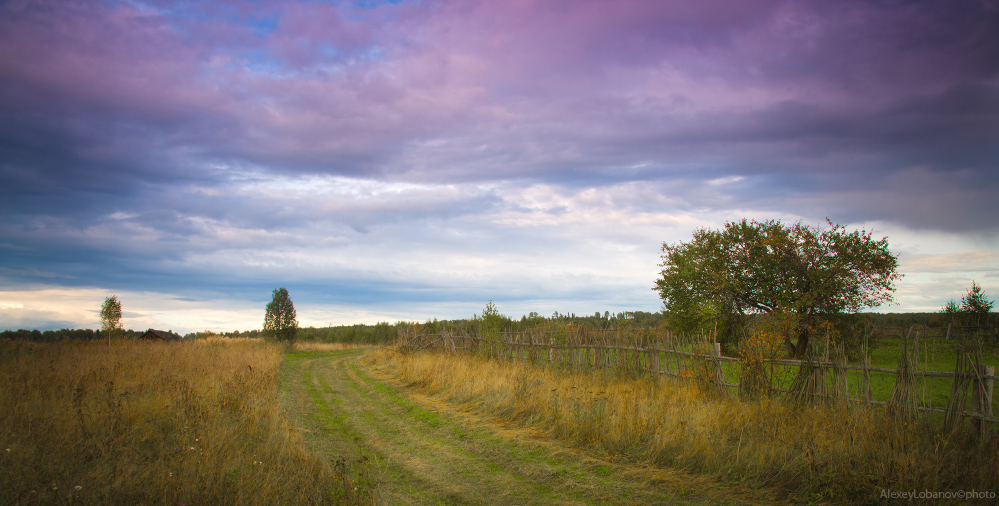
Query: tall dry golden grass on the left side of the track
column 154, row 423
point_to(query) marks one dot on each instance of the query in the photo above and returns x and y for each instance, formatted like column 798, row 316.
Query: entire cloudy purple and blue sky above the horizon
column 410, row 160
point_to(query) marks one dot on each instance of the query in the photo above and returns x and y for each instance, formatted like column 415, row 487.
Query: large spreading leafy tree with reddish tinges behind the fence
column 751, row 267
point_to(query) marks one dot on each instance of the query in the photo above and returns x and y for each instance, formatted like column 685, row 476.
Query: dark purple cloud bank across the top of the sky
column 333, row 90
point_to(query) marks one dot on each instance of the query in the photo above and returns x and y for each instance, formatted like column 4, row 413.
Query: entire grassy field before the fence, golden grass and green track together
column 230, row 421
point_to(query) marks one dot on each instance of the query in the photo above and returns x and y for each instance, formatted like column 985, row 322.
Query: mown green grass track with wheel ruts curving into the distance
column 422, row 451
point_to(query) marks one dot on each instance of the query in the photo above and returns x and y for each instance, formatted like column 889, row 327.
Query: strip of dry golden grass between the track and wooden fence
column 823, row 452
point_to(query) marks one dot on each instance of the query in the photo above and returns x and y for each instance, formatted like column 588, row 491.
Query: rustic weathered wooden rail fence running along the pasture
column 823, row 375
